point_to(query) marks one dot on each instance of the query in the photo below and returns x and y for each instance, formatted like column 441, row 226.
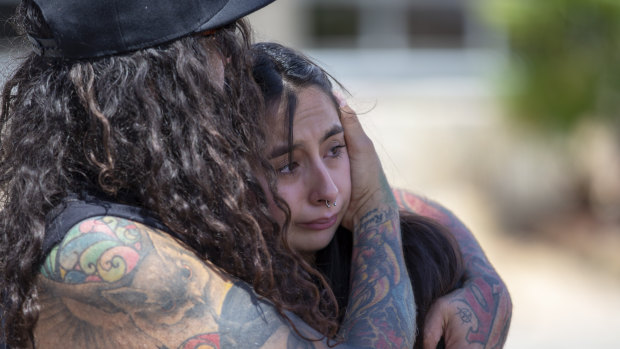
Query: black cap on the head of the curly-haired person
column 95, row 28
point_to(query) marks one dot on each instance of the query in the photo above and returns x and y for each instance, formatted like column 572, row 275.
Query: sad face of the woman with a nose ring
column 318, row 171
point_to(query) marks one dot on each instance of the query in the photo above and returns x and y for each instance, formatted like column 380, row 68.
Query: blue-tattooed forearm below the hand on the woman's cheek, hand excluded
column 381, row 309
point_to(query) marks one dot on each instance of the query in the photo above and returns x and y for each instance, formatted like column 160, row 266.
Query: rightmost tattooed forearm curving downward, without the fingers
column 484, row 298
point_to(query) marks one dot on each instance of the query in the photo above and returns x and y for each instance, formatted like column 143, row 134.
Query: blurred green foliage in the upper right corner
column 564, row 59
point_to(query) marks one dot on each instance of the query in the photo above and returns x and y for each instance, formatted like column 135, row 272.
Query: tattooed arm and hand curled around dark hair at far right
column 476, row 315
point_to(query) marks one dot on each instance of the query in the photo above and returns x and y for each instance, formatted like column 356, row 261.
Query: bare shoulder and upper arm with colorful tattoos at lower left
column 112, row 282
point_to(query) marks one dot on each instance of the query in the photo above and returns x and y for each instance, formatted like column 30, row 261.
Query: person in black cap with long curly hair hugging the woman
column 133, row 210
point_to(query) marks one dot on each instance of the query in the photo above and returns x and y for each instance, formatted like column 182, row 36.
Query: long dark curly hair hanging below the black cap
column 155, row 128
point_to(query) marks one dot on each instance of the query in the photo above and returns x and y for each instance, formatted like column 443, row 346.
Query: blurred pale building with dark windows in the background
column 393, row 42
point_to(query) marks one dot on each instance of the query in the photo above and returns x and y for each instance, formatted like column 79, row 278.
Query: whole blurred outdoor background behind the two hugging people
column 506, row 112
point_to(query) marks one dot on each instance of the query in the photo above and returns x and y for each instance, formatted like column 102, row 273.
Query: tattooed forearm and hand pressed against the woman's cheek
column 381, row 309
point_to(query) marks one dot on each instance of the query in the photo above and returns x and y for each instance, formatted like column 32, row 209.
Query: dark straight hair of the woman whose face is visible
column 431, row 253
